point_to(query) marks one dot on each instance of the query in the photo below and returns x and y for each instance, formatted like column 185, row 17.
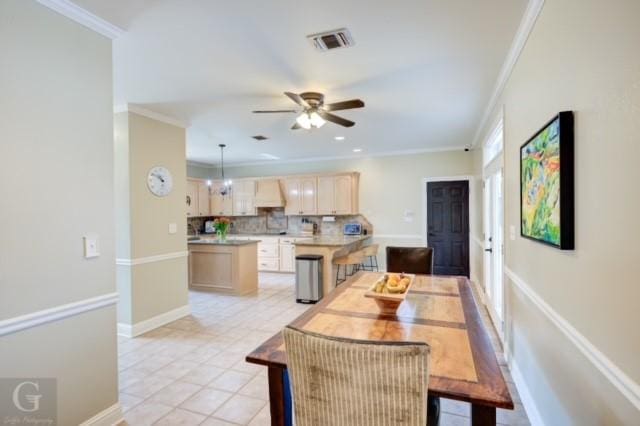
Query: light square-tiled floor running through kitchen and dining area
column 192, row 371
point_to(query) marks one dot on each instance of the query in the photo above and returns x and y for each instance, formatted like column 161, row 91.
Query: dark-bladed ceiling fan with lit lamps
column 315, row 113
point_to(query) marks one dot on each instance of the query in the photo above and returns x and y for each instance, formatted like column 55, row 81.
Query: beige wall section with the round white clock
column 149, row 289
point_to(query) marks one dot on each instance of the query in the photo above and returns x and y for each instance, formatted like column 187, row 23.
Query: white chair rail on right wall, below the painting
column 629, row 388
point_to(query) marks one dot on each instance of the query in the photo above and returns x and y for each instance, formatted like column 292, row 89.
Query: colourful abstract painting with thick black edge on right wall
column 546, row 184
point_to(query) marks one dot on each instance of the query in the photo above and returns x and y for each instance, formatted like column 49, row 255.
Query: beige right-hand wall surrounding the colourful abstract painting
column 581, row 56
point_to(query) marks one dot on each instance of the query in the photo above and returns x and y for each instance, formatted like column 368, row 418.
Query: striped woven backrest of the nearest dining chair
column 356, row 382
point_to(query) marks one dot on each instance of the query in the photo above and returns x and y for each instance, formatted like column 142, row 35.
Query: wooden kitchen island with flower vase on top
column 229, row 266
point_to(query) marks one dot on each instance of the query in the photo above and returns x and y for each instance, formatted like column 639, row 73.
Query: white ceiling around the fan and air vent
column 424, row 68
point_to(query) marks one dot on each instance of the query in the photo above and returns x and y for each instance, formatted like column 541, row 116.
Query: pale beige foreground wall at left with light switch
column 56, row 185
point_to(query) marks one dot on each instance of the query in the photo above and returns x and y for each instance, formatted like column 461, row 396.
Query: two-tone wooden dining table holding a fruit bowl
column 438, row 310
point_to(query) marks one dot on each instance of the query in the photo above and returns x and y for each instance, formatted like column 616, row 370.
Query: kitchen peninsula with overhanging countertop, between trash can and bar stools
column 330, row 247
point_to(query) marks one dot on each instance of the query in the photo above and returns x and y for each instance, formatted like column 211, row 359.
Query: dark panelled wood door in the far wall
column 448, row 226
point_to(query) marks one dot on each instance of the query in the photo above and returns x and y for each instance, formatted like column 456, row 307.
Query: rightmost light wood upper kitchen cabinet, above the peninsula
column 338, row 195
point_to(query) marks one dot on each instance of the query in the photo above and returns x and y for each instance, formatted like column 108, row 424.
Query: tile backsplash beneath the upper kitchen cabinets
column 273, row 220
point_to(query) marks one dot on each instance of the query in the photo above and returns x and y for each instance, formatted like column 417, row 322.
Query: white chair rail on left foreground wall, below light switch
column 45, row 316
